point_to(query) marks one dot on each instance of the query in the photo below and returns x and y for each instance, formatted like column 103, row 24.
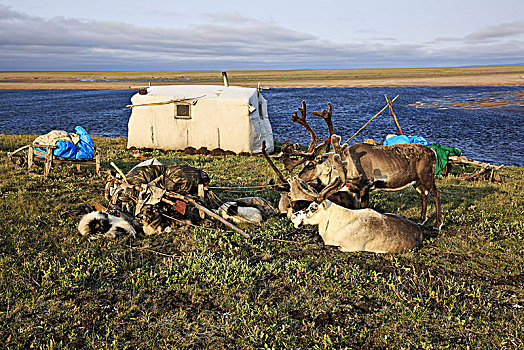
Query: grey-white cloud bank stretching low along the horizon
column 222, row 42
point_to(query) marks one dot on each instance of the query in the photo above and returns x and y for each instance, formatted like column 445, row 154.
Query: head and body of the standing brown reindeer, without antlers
column 390, row 168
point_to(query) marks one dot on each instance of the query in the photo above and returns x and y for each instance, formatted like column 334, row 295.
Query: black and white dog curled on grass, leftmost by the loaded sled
column 98, row 223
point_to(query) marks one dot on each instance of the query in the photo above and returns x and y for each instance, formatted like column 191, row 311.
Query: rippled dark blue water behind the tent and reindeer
column 486, row 123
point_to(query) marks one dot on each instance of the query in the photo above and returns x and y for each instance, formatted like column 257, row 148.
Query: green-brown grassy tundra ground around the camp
column 210, row 287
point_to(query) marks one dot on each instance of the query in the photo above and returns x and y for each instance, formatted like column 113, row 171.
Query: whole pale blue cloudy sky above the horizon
column 153, row 35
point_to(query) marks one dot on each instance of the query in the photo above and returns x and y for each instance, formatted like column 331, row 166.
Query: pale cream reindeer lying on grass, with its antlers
column 352, row 230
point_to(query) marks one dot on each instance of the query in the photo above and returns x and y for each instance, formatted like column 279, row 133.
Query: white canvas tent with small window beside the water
column 175, row 117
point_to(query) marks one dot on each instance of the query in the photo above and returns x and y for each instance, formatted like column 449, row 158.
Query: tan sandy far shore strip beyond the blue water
column 307, row 78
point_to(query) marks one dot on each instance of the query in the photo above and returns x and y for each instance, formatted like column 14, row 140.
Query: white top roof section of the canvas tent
column 202, row 91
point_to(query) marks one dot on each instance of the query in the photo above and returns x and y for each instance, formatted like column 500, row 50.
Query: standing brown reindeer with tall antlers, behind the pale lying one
column 369, row 168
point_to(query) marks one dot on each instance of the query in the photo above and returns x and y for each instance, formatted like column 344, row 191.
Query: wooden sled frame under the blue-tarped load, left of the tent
column 25, row 159
